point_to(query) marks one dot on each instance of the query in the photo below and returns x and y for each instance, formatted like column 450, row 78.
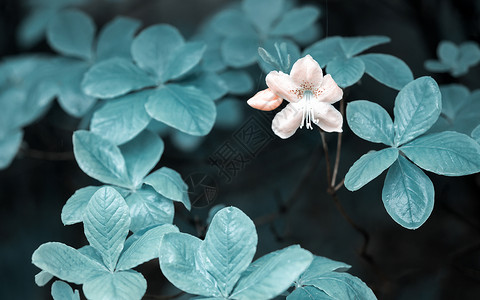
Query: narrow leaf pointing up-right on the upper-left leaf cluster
column 184, row 59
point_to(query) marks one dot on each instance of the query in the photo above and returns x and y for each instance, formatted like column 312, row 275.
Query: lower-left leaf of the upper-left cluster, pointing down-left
column 120, row 120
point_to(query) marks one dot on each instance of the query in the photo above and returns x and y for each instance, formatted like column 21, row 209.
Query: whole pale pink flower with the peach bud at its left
column 310, row 94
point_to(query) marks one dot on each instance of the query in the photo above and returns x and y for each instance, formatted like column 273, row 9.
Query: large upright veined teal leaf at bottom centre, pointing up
column 229, row 247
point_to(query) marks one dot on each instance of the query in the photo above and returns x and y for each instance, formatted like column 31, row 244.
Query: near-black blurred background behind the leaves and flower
column 441, row 260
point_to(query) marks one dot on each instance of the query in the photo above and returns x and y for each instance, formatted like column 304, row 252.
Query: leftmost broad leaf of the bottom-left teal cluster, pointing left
column 66, row 263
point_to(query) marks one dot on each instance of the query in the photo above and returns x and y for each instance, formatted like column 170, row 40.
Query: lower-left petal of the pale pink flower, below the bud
column 287, row 121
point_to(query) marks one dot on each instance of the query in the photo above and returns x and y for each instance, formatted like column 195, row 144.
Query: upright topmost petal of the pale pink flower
column 306, row 72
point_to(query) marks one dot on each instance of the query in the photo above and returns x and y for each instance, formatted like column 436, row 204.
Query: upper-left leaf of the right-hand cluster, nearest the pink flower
column 370, row 121
